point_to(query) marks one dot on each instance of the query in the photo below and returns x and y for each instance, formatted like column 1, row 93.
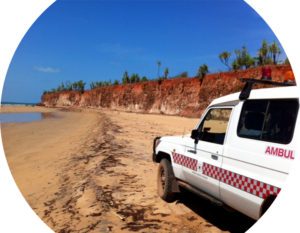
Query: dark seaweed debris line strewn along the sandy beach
column 104, row 153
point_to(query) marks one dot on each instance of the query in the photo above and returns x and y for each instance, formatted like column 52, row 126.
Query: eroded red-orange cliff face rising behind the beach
column 182, row 96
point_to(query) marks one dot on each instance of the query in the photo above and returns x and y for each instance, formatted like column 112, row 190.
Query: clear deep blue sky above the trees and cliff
column 99, row 40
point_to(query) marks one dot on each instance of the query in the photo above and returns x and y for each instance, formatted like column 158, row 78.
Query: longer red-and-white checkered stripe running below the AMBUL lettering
column 244, row 183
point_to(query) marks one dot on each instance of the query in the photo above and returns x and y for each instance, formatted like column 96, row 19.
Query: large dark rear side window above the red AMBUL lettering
column 268, row 120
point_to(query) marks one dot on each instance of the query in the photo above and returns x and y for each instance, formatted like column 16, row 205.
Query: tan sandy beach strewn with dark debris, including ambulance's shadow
column 91, row 170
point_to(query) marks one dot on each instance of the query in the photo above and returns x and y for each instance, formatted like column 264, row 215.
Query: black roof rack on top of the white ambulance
column 245, row 93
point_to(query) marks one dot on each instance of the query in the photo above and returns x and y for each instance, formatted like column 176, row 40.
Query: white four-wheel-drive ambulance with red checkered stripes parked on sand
column 240, row 152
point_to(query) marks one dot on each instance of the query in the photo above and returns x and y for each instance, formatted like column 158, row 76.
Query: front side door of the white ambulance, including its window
column 207, row 152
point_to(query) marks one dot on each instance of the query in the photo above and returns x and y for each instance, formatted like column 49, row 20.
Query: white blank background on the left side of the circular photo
column 16, row 17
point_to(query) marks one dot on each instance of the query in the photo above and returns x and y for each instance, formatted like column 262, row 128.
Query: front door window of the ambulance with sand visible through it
column 213, row 127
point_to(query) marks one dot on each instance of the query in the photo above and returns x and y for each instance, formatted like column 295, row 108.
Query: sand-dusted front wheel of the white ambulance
column 165, row 178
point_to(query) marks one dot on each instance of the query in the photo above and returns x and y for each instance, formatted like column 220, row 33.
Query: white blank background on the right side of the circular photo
column 283, row 17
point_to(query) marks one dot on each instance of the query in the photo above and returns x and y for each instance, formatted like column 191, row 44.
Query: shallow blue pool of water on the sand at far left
column 24, row 117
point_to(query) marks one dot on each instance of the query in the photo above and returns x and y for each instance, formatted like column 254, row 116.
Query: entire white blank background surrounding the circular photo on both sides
column 16, row 16
